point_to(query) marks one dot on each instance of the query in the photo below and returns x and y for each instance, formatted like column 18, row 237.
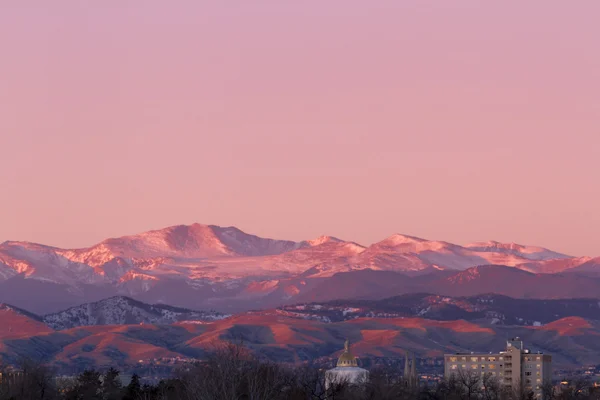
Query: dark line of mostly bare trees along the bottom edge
column 231, row 372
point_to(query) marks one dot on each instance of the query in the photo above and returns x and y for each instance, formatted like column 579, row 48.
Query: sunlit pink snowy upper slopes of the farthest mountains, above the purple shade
column 207, row 251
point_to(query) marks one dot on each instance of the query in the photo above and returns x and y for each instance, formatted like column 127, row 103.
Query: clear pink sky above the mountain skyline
column 453, row 120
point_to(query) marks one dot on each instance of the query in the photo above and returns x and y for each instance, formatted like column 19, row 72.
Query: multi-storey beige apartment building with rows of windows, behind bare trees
column 512, row 367
